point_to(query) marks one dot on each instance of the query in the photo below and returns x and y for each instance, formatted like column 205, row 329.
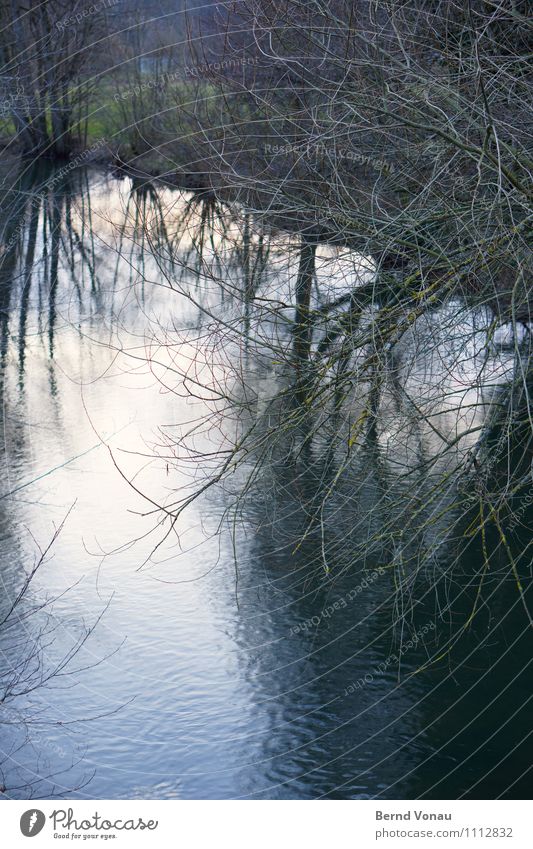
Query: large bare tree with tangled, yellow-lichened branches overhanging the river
column 395, row 131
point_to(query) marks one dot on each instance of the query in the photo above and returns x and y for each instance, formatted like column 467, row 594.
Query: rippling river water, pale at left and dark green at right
column 231, row 664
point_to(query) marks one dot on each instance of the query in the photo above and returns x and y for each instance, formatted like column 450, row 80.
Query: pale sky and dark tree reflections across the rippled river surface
column 264, row 661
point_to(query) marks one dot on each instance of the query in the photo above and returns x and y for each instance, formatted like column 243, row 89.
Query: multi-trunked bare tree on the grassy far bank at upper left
column 49, row 53
